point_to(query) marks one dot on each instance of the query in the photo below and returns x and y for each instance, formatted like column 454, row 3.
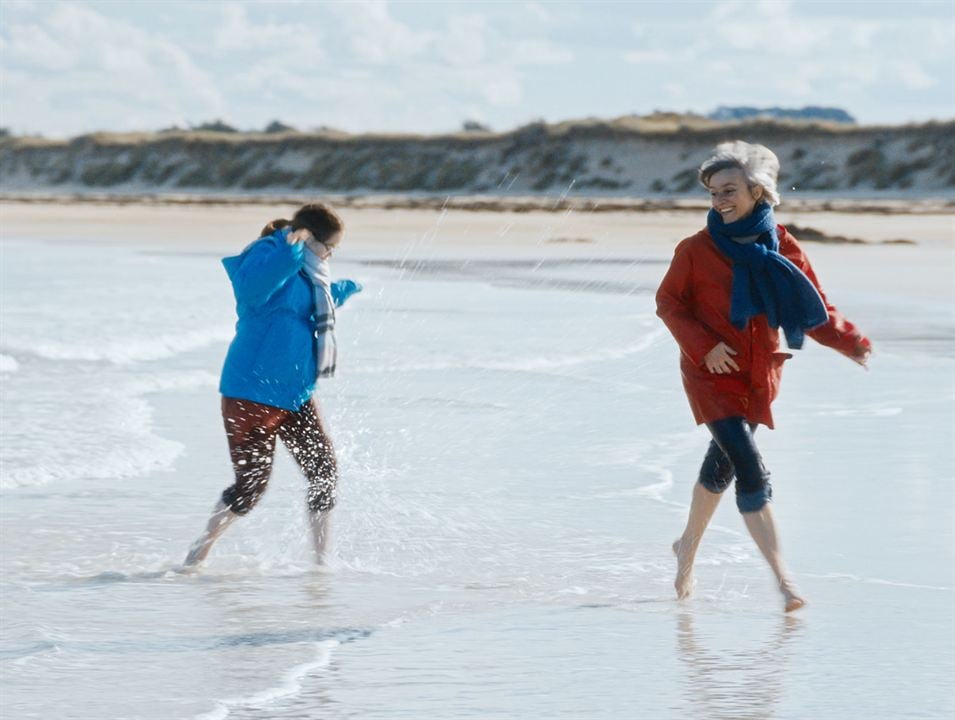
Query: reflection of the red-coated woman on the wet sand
column 741, row 684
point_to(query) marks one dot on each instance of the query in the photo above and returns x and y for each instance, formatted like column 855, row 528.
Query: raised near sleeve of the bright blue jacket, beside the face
column 263, row 269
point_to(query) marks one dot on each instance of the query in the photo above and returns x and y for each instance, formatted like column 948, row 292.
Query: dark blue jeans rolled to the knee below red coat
column 732, row 452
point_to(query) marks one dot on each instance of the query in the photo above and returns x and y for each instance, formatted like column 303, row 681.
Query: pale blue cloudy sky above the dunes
column 68, row 68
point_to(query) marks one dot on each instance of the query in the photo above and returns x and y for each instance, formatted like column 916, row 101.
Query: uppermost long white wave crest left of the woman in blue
column 126, row 351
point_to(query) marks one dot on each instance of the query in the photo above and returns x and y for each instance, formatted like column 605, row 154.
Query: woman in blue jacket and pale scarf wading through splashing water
column 284, row 342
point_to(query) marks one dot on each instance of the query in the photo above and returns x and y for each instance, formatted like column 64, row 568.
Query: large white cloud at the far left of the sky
column 80, row 70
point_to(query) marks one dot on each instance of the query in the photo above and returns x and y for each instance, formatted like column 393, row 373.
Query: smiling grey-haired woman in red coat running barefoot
column 728, row 291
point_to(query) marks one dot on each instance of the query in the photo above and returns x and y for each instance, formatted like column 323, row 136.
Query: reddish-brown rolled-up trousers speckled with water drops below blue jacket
column 251, row 429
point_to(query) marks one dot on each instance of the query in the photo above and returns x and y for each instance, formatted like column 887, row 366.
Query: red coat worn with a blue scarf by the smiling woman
column 694, row 302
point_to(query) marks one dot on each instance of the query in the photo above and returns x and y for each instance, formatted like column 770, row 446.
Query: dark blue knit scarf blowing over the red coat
column 765, row 282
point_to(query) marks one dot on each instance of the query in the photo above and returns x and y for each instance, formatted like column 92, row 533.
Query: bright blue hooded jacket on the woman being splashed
column 272, row 358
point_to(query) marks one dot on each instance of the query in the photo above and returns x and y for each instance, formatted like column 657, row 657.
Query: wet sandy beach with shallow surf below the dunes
column 516, row 457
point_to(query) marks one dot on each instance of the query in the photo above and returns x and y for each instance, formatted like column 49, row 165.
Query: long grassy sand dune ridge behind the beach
column 631, row 156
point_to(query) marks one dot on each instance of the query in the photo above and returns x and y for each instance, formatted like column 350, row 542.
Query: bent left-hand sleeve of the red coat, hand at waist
column 674, row 306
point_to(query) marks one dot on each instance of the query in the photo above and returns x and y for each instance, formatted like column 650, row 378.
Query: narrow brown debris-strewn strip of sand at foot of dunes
column 894, row 205
